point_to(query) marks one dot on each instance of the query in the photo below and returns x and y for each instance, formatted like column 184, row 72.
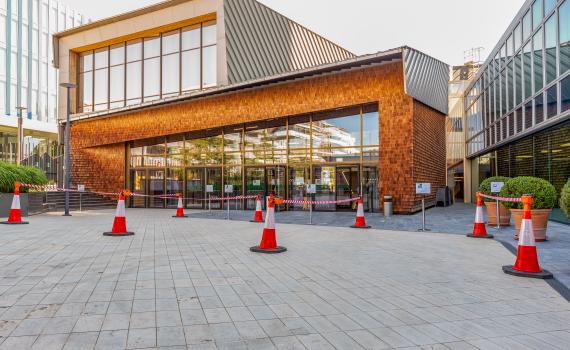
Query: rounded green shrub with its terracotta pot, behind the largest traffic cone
column 544, row 200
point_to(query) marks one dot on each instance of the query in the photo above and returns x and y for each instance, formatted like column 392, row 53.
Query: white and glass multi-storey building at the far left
column 28, row 80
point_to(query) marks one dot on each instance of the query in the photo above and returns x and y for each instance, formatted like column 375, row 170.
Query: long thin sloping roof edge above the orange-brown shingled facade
column 332, row 68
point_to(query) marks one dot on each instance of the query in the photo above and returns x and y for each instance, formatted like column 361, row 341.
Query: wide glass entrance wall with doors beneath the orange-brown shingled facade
column 337, row 150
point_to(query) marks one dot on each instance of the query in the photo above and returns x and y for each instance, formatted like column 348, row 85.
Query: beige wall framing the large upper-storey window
column 176, row 13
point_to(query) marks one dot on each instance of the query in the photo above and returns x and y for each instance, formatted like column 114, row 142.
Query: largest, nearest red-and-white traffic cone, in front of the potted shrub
column 526, row 264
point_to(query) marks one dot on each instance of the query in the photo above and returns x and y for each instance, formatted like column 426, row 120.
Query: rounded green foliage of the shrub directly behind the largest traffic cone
column 543, row 192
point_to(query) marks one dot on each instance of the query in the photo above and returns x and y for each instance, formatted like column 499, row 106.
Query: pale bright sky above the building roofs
column 441, row 28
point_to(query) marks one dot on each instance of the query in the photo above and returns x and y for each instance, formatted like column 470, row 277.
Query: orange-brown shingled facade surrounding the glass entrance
column 98, row 145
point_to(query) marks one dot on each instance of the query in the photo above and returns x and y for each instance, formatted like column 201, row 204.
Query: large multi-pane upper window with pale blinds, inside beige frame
column 148, row 69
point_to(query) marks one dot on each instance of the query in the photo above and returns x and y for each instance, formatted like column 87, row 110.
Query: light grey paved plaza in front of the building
column 192, row 283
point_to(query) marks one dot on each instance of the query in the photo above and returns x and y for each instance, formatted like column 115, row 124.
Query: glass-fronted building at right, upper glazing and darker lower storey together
column 518, row 107
